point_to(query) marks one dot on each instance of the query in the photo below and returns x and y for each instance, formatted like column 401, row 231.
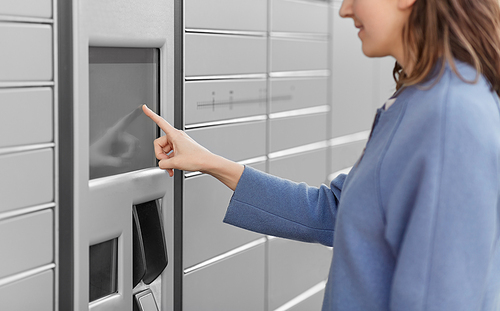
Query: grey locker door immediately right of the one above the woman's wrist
column 296, row 131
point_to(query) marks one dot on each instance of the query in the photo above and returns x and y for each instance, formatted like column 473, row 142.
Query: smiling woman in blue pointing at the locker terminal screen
column 416, row 223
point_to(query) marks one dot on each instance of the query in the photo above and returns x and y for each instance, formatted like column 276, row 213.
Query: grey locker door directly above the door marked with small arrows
column 207, row 55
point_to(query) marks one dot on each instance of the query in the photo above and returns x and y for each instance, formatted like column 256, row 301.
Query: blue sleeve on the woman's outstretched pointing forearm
column 271, row 205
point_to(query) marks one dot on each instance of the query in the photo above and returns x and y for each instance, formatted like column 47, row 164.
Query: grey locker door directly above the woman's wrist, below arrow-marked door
column 236, row 141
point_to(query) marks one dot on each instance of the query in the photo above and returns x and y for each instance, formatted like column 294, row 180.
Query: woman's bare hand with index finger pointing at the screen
column 176, row 150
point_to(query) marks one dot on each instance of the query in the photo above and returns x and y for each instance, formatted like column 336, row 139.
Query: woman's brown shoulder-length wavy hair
column 467, row 30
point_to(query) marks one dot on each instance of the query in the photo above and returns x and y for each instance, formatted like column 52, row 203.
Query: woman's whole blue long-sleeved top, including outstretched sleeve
column 416, row 223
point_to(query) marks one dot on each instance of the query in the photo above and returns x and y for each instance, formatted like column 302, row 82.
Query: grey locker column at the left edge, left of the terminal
column 28, row 155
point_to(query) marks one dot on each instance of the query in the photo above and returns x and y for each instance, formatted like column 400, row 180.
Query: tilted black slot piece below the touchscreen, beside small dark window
column 155, row 249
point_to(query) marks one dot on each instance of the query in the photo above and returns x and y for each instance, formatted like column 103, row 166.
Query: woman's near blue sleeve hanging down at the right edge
column 441, row 202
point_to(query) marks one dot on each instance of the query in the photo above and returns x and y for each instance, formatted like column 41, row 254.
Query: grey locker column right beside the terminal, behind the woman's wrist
column 225, row 110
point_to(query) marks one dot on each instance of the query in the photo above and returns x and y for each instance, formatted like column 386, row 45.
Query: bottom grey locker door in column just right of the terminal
column 236, row 283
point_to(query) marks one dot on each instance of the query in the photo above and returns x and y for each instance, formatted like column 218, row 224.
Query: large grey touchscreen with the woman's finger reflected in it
column 121, row 137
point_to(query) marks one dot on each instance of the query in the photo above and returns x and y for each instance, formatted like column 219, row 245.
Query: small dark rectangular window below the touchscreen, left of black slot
column 103, row 267
